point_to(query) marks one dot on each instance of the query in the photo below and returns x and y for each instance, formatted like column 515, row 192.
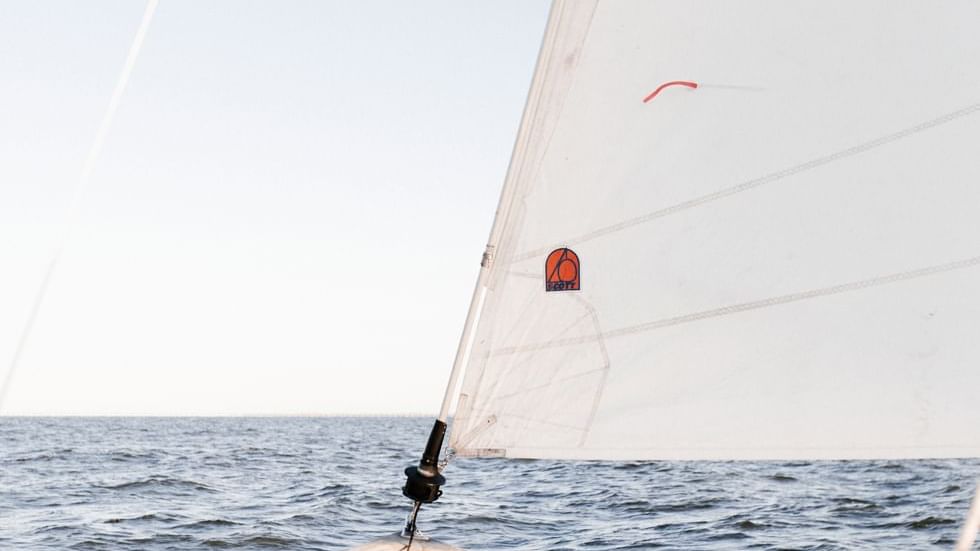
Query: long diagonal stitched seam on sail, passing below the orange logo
column 747, row 306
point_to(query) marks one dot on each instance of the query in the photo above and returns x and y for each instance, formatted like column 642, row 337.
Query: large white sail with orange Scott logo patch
column 778, row 256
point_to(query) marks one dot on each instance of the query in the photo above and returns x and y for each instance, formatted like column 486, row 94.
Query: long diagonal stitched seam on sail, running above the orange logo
column 755, row 182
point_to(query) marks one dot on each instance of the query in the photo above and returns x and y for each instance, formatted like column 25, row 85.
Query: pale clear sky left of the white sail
column 288, row 213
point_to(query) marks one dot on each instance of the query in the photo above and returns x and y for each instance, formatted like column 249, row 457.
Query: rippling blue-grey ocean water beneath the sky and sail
column 329, row 483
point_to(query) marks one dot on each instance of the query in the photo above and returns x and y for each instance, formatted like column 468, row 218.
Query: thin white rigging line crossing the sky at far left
column 75, row 206
